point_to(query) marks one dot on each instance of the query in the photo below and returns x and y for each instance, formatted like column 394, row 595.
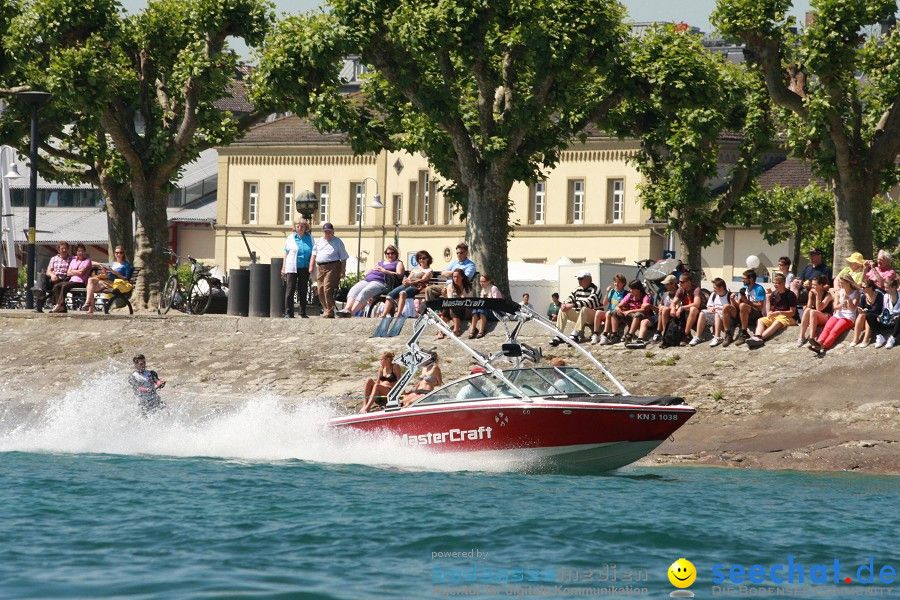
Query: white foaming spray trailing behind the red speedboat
column 101, row 416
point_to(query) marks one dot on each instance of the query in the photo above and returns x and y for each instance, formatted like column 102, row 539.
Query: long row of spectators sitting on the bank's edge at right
column 862, row 299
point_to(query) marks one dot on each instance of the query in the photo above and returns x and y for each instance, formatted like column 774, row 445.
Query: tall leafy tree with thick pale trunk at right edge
column 839, row 91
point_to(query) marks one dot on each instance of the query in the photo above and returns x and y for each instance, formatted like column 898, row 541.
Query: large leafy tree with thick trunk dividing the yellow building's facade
column 490, row 90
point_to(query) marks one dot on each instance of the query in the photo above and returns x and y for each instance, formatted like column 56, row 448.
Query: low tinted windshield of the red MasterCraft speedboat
column 540, row 381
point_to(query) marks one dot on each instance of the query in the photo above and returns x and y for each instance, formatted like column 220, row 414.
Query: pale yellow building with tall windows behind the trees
column 587, row 208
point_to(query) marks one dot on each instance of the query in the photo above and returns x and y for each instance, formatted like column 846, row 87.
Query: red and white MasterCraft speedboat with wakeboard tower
column 539, row 418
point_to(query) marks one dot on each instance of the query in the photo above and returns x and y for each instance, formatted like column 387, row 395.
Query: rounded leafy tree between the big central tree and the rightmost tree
column 682, row 100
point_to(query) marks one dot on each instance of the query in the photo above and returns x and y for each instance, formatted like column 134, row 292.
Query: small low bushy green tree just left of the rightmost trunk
column 783, row 213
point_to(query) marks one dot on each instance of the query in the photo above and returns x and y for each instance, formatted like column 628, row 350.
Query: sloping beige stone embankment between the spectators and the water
column 777, row 407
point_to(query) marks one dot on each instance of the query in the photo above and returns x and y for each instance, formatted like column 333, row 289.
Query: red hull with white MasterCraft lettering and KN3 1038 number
column 544, row 435
